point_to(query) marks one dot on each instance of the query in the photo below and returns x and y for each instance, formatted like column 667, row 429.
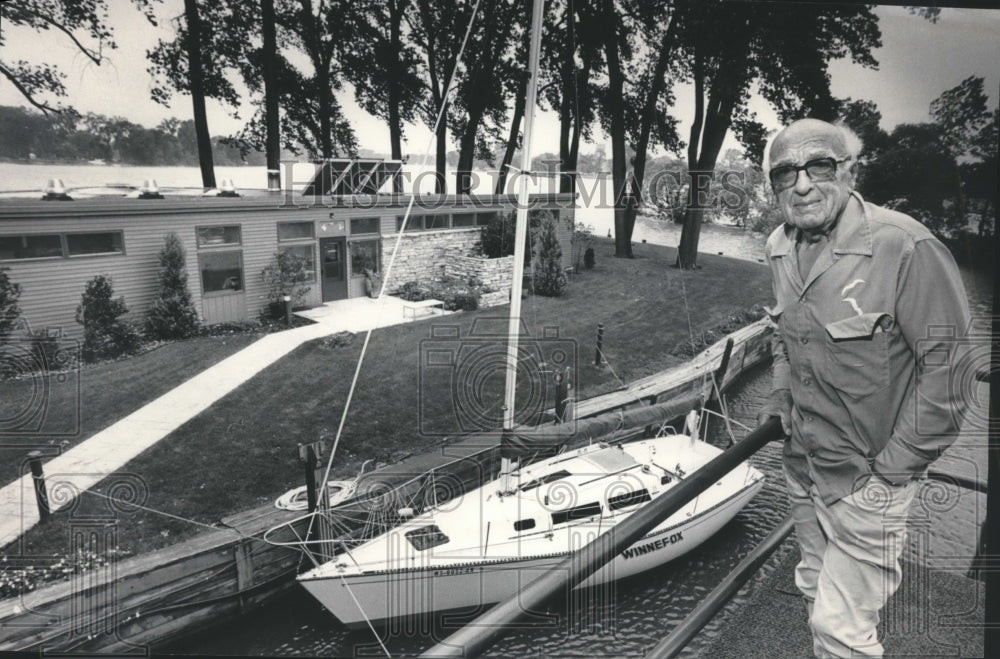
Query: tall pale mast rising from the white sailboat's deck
column 508, row 465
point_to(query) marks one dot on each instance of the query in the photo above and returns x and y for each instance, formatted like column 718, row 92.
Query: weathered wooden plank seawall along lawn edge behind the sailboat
column 127, row 605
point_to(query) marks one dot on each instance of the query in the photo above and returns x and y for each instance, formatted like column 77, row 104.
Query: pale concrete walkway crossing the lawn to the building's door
column 109, row 450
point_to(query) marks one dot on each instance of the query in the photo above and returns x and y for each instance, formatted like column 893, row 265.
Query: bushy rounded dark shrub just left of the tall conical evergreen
column 105, row 333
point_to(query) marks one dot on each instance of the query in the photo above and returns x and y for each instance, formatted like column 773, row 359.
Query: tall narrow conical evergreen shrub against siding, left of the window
column 172, row 315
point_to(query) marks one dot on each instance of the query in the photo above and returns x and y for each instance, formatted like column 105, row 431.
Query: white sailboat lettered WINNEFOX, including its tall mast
column 485, row 545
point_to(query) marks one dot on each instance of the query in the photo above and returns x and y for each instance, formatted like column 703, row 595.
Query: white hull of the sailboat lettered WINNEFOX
column 407, row 583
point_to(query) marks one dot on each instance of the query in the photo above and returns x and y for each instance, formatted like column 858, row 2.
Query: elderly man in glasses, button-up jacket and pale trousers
column 869, row 304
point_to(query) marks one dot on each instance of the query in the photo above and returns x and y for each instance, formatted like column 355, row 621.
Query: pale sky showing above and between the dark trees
column 917, row 62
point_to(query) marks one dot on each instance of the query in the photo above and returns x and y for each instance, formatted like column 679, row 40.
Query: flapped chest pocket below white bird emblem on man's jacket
column 857, row 354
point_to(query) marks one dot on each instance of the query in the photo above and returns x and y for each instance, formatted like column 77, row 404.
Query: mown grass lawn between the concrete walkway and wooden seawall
column 241, row 453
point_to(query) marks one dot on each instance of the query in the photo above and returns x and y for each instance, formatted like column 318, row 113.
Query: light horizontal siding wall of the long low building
column 52, row 287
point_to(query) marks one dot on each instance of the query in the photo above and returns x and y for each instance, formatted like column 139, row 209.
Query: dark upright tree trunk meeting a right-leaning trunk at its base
column 616, row 109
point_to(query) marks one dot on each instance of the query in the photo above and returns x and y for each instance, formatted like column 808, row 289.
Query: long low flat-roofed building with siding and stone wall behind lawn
column 53, row 248
